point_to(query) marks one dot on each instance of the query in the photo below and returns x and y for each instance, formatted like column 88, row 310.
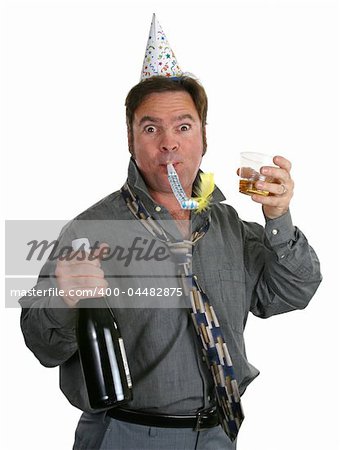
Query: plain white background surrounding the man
column 270, row 69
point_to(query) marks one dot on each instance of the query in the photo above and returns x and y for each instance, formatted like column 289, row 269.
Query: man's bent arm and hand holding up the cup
column 283, row 269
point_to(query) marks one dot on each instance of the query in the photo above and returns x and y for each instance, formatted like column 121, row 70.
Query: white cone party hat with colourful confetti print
column 159, row 58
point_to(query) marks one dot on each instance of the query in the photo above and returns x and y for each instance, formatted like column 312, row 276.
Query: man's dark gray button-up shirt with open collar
column 241, row 266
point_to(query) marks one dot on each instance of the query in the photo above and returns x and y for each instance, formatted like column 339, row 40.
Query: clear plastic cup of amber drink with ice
column 250, row 172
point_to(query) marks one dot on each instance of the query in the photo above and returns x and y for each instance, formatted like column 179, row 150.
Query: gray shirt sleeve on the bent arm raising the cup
column 290, row 271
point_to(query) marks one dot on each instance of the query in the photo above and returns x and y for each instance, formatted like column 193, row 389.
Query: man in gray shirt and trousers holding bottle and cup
column 241, row 267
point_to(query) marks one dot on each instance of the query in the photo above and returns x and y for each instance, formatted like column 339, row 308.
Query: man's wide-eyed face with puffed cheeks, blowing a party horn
column 167, row 128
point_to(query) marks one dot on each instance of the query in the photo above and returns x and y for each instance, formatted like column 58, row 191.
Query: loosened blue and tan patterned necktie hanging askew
column 215, row 350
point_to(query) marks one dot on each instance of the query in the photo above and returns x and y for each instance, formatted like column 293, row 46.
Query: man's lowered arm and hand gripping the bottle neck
column 48, row 323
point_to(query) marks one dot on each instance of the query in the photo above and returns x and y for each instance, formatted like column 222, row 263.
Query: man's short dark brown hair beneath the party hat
column 162, row 84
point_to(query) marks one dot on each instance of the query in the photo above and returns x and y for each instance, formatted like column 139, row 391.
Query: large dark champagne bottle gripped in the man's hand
column 101, row 350
